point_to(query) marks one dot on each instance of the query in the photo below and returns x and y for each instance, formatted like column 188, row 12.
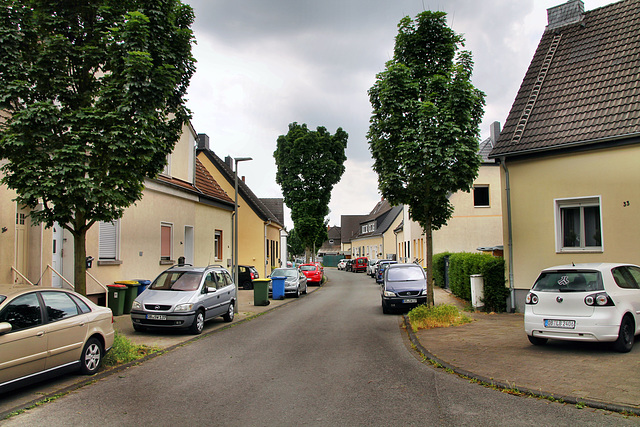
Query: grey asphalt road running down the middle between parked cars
column 331, row 358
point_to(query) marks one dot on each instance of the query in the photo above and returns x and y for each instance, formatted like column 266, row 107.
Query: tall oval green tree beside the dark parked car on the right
column 424, row 129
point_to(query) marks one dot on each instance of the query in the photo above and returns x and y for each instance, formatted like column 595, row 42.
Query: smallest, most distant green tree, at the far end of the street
column 309, row 163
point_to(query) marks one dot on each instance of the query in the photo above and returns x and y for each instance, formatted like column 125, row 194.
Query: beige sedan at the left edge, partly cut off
column 46, row 331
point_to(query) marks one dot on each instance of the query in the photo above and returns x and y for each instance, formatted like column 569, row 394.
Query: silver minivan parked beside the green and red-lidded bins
column 185, row 297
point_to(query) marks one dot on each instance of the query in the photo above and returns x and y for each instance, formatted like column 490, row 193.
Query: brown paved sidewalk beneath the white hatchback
column 494, row 349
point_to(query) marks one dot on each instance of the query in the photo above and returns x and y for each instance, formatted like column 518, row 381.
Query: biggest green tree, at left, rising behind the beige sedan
column 93, row 99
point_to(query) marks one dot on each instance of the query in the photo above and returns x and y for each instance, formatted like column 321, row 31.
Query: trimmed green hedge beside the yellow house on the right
column 462, row 266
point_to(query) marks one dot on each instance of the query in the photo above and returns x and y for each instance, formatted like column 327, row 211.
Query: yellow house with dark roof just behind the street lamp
column 259, row 240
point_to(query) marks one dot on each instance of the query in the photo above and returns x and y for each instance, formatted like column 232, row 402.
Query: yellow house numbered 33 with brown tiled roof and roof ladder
column 570, row 147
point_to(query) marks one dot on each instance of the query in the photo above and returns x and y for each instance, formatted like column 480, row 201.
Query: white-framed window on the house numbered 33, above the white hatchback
column 578, row 225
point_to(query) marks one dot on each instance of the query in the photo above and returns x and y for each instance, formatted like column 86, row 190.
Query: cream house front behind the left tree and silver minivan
column 183, row 214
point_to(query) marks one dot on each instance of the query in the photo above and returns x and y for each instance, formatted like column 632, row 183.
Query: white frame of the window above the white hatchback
column 579, row 202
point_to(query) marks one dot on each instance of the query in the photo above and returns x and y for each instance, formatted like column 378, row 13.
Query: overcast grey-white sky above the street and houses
column 263, row 64
